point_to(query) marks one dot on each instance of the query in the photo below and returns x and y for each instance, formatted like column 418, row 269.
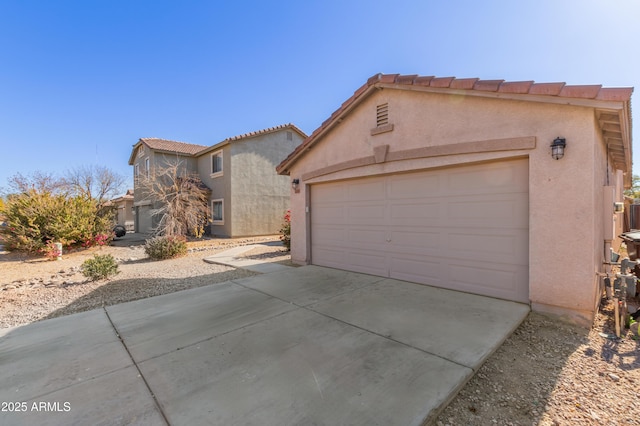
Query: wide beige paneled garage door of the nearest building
column 464, row 228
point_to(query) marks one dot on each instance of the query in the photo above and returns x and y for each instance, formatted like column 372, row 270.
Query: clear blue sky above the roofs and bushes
column 82, row 81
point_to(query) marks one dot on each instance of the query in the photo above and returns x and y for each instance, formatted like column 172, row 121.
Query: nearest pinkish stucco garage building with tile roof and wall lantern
column 452, row 183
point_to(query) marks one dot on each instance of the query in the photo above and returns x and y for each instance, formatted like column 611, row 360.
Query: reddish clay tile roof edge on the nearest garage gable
column 524, row 88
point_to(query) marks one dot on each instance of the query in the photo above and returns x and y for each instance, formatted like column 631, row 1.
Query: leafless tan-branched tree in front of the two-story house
column 180, row 197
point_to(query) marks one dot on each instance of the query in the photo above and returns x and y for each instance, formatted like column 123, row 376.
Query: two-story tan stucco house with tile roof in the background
column 247, row 197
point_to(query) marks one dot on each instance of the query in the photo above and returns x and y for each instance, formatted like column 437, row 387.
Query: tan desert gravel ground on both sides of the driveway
column 547, row 373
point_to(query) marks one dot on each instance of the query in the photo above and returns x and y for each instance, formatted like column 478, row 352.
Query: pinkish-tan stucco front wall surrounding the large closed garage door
column 565, row 196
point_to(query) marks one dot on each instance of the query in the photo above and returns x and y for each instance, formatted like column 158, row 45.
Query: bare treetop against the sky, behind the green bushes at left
column 95, row 182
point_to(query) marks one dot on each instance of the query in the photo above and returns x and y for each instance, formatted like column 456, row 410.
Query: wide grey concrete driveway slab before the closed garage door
column 303, row 346
